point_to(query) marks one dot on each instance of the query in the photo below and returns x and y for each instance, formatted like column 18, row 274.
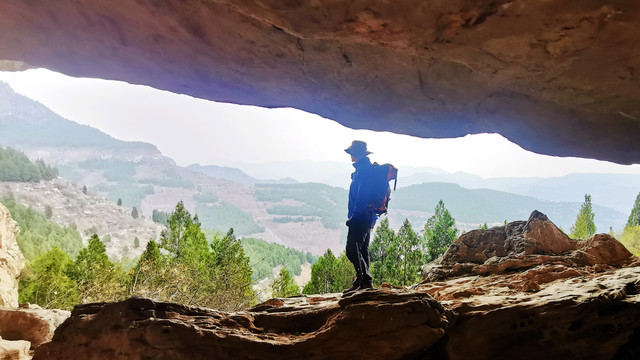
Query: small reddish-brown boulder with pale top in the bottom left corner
column 31, row 323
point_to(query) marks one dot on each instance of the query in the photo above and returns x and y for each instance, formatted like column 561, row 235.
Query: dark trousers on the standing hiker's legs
column 358, row 251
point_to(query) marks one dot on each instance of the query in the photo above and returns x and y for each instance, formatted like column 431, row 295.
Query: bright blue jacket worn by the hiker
column 360, row 193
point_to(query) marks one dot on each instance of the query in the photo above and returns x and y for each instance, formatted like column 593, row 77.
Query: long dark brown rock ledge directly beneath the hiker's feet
column 375, row 324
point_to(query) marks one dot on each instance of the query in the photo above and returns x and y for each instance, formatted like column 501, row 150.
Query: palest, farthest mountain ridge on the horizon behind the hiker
column 616, row 191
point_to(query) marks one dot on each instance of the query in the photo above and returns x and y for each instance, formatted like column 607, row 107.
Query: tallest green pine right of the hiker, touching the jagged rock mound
column 439, row 232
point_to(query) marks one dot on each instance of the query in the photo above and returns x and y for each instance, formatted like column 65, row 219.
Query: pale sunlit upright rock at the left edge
column 11, row 259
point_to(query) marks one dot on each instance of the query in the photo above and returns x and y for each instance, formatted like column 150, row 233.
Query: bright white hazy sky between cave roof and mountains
column 191, row 130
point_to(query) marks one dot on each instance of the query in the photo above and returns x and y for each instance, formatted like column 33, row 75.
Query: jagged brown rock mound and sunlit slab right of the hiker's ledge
column 527, row 291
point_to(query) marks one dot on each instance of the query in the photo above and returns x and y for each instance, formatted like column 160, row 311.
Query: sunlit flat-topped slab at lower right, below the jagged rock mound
column 580, row 317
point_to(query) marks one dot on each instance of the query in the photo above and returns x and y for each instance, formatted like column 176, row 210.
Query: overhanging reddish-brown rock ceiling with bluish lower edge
column 556, row 77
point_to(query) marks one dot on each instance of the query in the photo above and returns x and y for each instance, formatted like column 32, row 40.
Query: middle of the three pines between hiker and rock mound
column 408, row 247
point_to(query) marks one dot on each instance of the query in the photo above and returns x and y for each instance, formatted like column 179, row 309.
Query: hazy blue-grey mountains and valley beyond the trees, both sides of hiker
column 141, row 176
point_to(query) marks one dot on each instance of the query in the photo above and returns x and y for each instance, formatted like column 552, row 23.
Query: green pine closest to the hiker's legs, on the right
column 384, row 260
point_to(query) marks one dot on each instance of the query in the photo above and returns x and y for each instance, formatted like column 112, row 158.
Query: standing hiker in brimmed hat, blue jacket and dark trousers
column 362, row 216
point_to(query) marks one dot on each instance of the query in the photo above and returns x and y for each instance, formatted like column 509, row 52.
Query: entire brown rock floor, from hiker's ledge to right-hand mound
column 521, row 291
